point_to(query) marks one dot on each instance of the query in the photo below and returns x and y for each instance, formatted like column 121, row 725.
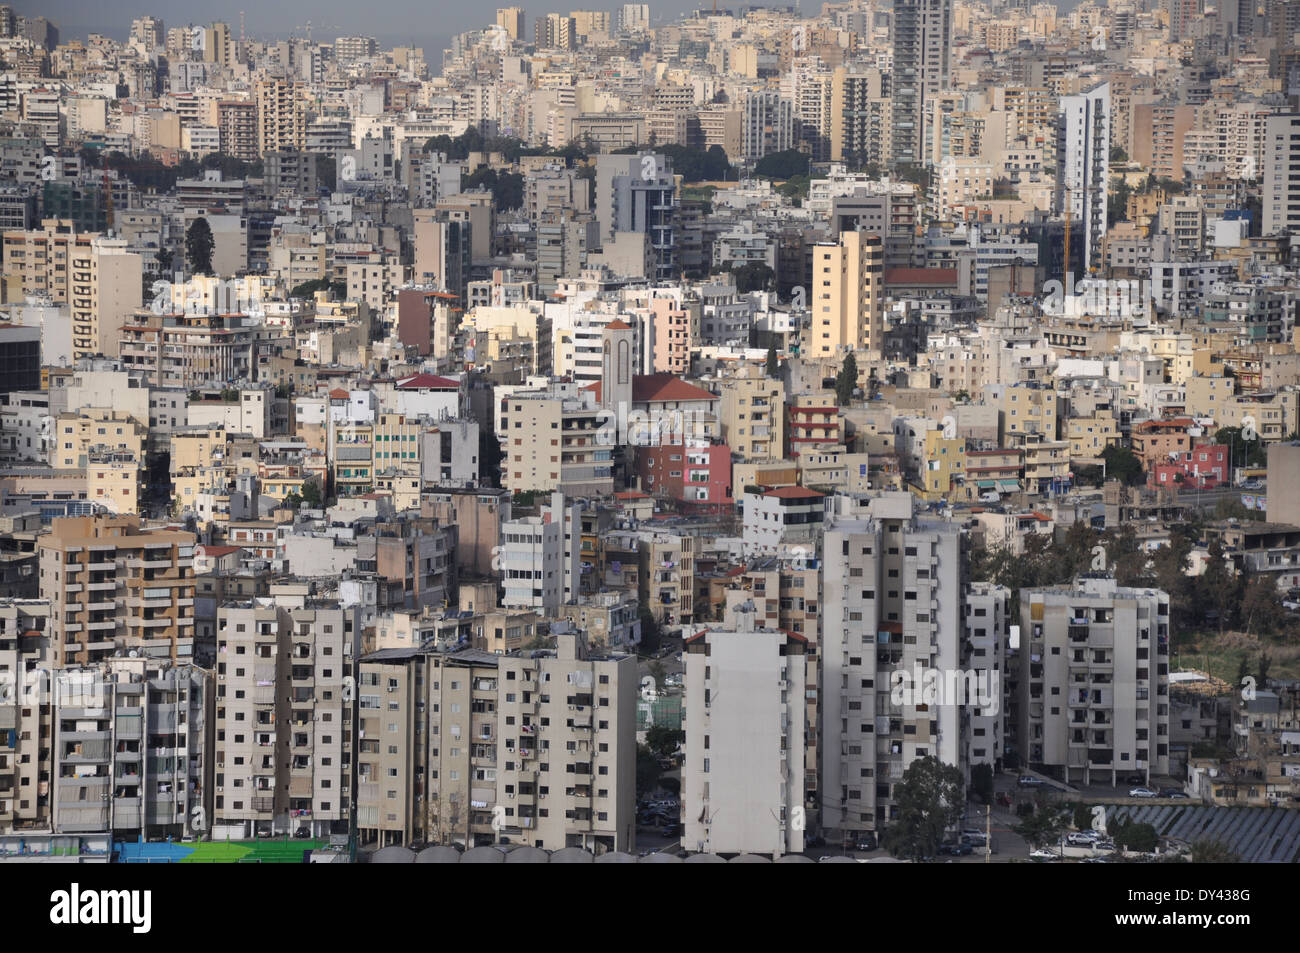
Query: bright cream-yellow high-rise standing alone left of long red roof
column 848, row 296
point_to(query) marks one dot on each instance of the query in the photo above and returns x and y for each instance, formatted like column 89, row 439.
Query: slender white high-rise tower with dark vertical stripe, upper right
column 1084, row 154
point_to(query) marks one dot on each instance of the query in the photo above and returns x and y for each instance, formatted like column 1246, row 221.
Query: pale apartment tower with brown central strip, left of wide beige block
column 284, row 717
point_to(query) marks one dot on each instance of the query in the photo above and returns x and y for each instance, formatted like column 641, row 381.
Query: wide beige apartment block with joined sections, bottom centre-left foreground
column 473, row 748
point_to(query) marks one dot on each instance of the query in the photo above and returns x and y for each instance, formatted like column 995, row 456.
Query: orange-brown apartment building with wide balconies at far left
column 115, row 586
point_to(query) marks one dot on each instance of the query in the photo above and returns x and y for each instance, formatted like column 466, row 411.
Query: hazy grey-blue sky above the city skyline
column 391, row 21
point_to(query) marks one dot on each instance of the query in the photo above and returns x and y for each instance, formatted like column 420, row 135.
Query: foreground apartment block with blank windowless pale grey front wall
column 743, row 778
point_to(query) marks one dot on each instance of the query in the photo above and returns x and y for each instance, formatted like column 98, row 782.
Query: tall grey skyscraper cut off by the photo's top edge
column 922, row 41
